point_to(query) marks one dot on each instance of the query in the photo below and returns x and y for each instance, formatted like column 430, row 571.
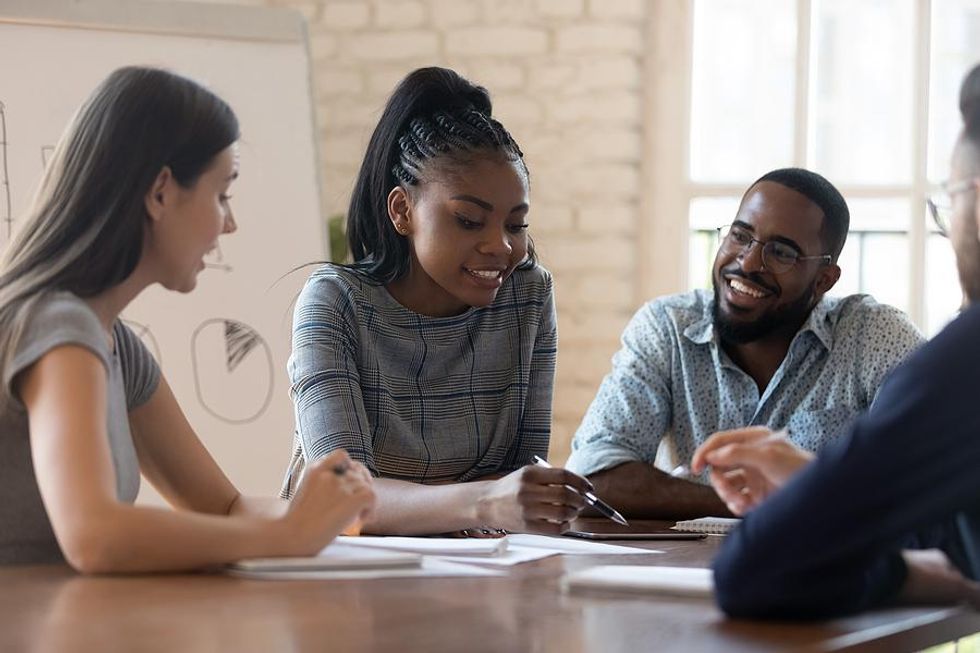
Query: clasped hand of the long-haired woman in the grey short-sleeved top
column 334, row 493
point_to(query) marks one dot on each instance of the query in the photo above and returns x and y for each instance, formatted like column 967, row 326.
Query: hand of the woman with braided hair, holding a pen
column 533, row 499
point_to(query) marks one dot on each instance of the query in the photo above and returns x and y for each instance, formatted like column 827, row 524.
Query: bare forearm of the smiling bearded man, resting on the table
column 642, row 491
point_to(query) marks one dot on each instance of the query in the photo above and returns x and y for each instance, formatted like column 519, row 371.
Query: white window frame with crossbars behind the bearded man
column 663, row 263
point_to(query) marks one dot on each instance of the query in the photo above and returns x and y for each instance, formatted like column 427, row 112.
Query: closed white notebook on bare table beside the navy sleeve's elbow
column 671, row 581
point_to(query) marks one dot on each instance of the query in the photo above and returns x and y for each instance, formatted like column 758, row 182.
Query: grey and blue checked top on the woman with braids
column 423, row 399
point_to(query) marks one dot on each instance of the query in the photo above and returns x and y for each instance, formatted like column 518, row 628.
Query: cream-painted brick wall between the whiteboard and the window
column 565, row 77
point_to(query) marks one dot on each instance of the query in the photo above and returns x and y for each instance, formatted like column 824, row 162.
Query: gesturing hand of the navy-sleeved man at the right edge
column 747, row 465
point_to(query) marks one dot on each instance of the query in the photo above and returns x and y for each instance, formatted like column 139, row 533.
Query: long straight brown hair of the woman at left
column 84, row 230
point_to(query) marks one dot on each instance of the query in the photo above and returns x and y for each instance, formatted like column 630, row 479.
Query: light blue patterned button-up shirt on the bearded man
column 671, row 382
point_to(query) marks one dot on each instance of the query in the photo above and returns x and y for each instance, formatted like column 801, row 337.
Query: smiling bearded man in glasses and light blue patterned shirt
column 765, row 347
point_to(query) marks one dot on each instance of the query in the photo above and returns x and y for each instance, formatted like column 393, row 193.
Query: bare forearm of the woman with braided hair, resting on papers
column 404, row 508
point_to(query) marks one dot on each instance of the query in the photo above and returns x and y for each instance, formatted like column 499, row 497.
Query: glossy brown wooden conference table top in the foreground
column 48, row 609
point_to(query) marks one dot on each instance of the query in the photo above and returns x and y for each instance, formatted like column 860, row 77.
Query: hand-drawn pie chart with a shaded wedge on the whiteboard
column 233, row 370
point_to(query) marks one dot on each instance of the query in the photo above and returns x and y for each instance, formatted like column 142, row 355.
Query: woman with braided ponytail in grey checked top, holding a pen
column 430, row 359
